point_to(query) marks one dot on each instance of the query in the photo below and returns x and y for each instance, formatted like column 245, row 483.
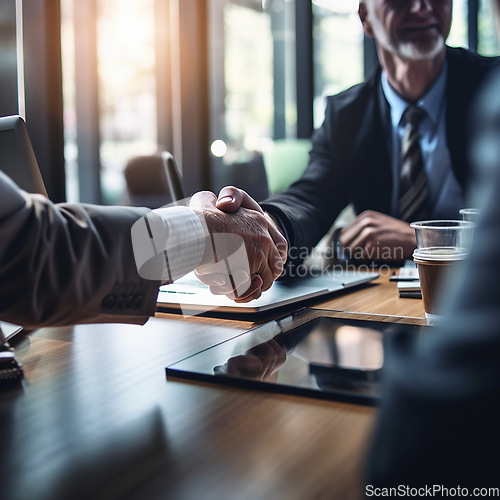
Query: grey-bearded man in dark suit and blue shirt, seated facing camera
column 355, row 154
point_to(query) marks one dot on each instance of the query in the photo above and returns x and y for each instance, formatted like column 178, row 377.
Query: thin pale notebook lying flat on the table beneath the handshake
column 189, row 296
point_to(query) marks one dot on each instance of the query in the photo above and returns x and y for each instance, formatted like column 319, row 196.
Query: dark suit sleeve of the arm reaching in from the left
column 66, row 264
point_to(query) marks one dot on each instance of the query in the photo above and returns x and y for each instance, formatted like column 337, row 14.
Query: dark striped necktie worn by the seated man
column 412, row 178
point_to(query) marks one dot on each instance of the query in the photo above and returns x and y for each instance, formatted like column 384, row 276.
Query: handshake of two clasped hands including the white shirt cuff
column 243, row 251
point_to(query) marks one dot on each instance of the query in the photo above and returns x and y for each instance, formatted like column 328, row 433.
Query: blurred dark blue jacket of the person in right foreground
column 439, row 421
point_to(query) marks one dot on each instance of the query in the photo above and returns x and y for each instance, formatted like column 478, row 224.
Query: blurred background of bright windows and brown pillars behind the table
column 215, row 82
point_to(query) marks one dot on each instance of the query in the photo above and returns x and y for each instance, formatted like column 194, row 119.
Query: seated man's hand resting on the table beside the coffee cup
column 379, row 237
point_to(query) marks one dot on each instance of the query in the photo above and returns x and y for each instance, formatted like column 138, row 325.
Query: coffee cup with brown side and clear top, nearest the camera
column 441, row 244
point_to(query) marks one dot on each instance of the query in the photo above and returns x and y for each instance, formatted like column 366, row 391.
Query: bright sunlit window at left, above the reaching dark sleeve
column 127, row 90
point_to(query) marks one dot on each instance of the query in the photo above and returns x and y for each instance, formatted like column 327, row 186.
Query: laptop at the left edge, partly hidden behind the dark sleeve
column 18, row 161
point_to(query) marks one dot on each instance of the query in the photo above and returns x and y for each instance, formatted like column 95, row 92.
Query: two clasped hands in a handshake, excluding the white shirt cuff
column 235, row 220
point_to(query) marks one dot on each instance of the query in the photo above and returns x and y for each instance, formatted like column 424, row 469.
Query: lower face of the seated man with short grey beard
column 413, row 29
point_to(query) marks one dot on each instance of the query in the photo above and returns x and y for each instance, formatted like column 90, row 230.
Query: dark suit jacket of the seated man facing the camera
column 350, row 162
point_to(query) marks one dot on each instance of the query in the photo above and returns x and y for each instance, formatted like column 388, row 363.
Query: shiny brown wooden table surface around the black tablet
column 97, row 417
